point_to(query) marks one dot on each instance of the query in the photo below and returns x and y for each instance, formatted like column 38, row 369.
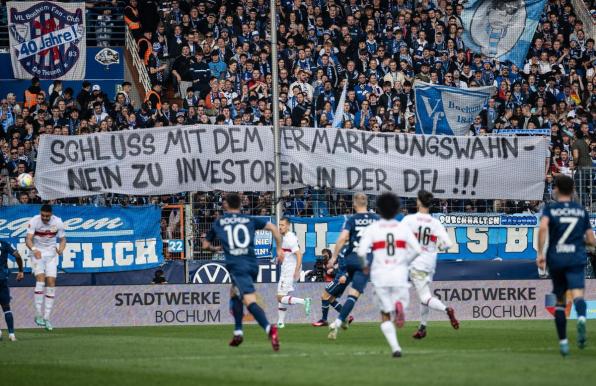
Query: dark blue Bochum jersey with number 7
column 567, row 226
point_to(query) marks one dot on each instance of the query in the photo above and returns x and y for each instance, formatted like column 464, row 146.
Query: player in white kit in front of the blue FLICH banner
column 42, row 232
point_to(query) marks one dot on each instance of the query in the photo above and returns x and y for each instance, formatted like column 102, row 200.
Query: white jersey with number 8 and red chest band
column 393, row 247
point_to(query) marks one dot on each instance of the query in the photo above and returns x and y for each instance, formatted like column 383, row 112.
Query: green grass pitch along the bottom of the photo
column 480, row 353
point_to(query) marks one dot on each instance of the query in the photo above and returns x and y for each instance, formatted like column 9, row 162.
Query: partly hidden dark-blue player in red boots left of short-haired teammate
column 333, row 291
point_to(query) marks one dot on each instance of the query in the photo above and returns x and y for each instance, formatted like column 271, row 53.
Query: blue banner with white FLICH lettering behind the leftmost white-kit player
column 98, row 239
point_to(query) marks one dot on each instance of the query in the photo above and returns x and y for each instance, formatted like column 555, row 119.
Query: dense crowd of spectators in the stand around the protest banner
column 213, row 59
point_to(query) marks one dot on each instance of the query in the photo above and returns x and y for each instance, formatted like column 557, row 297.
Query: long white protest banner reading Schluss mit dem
column 240, row 158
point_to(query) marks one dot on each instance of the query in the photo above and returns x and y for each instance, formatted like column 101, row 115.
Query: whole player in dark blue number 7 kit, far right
column 567, row 225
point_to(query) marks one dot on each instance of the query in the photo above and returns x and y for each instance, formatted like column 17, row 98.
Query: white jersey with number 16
column 431, row 235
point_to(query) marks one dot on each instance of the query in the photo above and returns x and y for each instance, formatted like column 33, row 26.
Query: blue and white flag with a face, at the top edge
column 501, row 29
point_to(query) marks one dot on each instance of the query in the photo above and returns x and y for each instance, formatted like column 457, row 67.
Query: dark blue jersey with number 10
column 237, row 235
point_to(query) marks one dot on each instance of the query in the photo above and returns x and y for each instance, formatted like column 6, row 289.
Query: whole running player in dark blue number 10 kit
column 236, row 232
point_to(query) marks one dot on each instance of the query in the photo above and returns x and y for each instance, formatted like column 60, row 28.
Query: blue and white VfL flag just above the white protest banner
column 448, row 110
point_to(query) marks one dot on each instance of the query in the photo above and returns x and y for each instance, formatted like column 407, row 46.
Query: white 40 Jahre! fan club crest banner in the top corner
column 47, row 39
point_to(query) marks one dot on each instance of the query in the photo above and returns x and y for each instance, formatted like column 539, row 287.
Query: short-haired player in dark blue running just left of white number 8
column 350, row 237
